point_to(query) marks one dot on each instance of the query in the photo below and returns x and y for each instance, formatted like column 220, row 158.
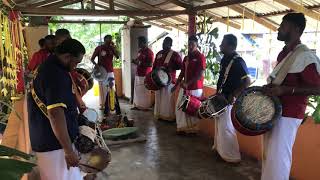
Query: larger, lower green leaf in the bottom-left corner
column 11, row 169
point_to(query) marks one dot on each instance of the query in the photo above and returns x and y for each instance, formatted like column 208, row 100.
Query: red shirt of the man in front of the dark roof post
column 192, row 65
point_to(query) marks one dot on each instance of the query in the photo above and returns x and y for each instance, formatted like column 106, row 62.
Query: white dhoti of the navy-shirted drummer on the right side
column 225, row 138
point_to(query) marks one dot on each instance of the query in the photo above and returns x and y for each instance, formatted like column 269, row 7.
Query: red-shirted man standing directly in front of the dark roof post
column 191, row 80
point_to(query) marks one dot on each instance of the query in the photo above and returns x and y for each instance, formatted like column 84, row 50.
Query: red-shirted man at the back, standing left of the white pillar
column 105, row 53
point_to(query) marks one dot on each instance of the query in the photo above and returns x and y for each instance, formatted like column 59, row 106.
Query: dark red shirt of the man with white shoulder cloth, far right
column 295, row 106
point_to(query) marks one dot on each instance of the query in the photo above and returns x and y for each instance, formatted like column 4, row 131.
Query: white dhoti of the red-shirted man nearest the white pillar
column 142, row 96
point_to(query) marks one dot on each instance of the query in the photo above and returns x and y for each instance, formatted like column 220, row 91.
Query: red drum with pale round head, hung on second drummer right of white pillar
column 157, row 79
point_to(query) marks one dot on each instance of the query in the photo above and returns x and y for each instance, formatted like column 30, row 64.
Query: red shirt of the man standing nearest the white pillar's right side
column 145, row 57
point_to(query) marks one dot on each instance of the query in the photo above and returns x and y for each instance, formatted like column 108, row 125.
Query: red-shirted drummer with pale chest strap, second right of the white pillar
column 164, row 102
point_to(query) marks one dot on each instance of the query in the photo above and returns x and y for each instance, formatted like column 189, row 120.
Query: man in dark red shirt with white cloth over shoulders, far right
column 301, row 81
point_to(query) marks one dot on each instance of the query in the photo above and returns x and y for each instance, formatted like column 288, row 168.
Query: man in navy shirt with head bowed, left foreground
column 53, row 113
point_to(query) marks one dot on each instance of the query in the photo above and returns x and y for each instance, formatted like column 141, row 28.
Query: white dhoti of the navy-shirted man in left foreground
column 52, row 166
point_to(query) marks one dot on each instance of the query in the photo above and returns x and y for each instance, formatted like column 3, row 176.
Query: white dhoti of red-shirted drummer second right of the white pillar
column 164, row 104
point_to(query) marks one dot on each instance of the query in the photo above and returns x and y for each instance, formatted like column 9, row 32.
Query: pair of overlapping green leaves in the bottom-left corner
column 13, row 169
